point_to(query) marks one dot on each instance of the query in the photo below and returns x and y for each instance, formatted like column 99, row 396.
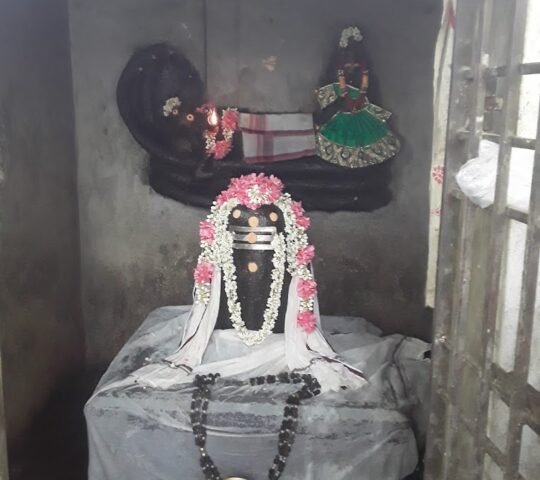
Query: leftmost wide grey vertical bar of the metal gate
column 454, row 226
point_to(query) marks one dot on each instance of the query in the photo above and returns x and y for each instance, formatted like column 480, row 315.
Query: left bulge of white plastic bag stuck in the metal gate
column 477, row 177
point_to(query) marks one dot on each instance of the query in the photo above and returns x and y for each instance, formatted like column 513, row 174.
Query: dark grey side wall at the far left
column 41, row 325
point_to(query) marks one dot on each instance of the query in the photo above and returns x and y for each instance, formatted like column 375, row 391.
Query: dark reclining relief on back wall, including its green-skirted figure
column 337, row 158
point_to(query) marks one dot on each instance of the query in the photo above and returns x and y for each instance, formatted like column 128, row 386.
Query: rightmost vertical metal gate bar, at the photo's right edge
column 518, row 400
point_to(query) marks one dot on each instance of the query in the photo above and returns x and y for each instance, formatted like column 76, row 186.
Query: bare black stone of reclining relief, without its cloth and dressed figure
column 178, row 166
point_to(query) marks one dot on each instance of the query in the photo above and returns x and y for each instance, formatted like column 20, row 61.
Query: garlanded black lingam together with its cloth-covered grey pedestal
column 244, row 384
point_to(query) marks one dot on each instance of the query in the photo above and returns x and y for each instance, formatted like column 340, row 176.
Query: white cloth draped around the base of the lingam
column 293, row 350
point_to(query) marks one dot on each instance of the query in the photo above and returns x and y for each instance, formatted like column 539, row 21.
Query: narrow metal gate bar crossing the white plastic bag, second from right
column 516, row 14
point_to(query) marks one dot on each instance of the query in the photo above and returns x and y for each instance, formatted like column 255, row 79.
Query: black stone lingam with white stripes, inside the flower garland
column 254, row 267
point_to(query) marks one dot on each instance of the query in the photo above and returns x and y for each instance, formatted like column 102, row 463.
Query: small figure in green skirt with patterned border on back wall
column 352, row 131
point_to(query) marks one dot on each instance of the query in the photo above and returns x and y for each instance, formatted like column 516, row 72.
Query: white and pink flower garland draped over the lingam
column 291, row 250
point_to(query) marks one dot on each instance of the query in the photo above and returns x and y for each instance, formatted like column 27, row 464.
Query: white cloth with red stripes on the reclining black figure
column 271, row 137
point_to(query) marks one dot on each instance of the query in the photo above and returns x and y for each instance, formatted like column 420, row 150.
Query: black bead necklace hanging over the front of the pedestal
column 287, row 432
